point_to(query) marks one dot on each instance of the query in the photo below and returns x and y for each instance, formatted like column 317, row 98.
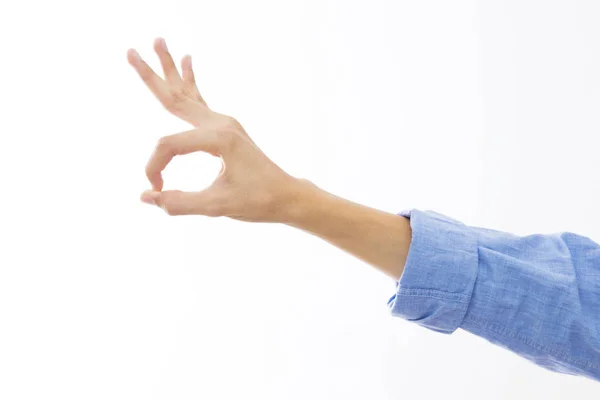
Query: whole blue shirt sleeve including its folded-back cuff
column 536, row 295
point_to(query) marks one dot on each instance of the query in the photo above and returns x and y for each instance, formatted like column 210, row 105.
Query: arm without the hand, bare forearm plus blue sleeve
column 537, row 295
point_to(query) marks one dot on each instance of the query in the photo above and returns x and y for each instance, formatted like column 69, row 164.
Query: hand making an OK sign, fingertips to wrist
column 249, row 187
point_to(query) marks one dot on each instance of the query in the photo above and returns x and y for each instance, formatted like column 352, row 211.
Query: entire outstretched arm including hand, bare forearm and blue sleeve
column 537, row 295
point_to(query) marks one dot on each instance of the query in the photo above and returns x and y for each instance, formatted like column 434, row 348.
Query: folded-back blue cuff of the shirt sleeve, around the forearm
column 436, row 285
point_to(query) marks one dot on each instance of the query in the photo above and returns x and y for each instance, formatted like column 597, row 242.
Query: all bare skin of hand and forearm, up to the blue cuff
column 252, row 188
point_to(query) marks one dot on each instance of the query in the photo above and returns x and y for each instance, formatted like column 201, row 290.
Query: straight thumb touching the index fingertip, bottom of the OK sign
column 176, row 202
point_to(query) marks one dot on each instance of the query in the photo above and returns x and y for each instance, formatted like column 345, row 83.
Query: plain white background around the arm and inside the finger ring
column 485, row 111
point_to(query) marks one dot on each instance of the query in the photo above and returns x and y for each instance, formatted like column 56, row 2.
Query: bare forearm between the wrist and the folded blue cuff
column 379, row 238
